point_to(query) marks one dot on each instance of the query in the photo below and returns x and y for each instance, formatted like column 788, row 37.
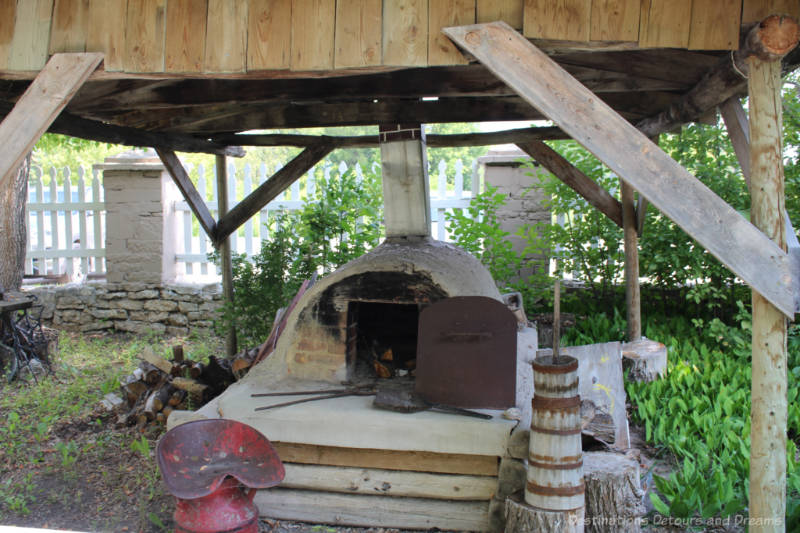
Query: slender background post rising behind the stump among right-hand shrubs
column 632, row 299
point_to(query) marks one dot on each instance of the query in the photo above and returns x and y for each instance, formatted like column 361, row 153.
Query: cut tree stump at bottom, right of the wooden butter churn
column 613, row 493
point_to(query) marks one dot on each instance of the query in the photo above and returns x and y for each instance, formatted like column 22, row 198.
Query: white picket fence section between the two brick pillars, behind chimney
column 194, row 246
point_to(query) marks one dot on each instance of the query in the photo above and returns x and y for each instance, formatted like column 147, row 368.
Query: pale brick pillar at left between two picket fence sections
column 141, row 225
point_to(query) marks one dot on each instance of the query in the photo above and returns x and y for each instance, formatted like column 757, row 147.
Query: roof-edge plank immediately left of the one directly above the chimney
column 358, row 33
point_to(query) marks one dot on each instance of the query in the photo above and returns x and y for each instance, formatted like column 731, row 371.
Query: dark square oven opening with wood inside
column 382, row 340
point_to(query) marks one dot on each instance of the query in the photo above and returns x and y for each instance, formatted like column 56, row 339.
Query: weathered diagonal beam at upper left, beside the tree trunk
column 47, row 95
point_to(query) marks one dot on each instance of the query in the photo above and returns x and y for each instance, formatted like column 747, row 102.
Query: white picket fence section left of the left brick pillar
column 66, row 224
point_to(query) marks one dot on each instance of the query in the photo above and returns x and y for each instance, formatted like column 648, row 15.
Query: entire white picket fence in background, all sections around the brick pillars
column 66, row 223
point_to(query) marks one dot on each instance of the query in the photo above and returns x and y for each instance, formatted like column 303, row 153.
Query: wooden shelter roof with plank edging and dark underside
column 208, row 68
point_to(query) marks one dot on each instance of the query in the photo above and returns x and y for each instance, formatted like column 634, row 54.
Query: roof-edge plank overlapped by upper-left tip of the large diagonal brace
column 443, row 14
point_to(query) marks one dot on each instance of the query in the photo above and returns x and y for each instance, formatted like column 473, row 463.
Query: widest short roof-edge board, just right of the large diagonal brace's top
column 568, row 20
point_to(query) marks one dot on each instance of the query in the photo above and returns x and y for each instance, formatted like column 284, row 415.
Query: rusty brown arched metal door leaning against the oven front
column 467, row 353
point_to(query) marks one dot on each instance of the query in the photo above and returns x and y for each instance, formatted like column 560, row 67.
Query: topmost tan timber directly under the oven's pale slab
column 477, row 465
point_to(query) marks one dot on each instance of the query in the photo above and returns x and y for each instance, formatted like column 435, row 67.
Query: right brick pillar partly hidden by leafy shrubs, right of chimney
column 525, row 201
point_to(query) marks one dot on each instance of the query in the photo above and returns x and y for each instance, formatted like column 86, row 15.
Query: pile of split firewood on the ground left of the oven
column 159, row 386
